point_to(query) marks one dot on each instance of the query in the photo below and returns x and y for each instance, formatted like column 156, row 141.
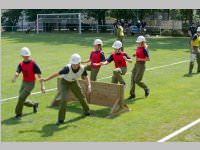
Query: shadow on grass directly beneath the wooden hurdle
column 75, row 108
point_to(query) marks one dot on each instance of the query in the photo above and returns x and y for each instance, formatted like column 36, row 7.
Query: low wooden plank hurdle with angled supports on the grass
column 103, row 94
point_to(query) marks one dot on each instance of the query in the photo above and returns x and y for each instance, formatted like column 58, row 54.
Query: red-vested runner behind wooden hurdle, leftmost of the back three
column 96, row 56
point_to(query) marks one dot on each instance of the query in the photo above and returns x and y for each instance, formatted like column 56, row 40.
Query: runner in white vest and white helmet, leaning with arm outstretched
column 70, row 75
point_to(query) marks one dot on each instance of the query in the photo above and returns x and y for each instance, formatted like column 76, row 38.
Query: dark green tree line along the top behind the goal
column 11, row 17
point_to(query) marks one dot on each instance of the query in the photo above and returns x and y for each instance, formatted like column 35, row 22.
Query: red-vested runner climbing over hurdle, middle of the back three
column 120, row 58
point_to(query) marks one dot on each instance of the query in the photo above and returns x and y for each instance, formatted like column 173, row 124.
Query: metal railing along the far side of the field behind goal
column 152, row 30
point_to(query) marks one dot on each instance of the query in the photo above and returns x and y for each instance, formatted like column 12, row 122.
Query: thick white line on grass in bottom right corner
column 179, row 131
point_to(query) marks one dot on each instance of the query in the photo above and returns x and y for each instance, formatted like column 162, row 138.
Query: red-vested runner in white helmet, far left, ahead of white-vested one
column 29, row 68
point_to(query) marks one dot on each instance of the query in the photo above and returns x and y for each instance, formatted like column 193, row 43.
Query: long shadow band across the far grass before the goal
column 86, row 39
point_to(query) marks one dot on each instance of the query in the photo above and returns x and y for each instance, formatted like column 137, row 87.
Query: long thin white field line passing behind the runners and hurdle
column 148, row 69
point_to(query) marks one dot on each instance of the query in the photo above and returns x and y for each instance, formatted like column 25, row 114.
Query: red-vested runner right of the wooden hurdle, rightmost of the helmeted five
column 142, row 56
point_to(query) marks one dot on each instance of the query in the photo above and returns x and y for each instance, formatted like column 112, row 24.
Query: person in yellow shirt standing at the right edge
column 195, row 52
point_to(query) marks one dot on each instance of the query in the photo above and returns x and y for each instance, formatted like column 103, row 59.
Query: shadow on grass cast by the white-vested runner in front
column 49, row 129
